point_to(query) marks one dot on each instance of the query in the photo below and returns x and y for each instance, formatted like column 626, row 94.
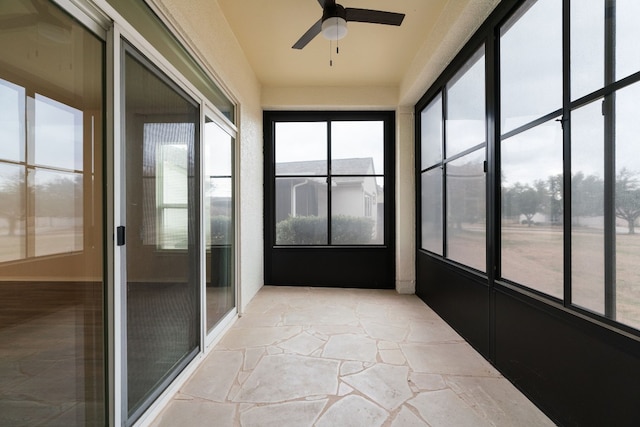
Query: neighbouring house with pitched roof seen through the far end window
column 301, row 189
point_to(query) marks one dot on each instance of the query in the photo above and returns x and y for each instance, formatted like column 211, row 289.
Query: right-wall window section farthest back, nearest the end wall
column 453, row 202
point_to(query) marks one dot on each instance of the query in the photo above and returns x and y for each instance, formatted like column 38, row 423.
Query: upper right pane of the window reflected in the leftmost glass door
column 58, row 134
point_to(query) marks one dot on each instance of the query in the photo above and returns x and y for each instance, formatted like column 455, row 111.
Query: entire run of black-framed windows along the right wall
column 563, row 128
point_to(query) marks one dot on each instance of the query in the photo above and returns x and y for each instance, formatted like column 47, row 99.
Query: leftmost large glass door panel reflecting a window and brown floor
column 52, row 355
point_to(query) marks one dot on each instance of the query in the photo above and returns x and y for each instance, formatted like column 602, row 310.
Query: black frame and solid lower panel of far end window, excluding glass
column 347, row 265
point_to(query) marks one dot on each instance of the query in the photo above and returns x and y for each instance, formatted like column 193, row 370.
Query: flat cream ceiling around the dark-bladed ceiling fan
column 370, row 54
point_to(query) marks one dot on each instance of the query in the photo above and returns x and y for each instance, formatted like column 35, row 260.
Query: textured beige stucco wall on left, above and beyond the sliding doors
column 204, row 28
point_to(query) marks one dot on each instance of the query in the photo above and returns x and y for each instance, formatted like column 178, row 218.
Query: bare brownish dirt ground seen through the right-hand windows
column 533, row 256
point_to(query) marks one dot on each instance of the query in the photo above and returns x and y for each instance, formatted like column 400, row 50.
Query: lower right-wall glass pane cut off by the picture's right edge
column 627, row 205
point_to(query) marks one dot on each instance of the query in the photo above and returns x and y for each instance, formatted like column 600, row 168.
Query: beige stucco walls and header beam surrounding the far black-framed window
column 208, row 32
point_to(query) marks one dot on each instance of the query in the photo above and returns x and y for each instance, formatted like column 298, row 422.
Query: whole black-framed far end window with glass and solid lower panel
column 329, row 198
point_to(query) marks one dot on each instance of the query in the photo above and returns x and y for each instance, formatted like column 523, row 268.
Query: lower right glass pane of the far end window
column 357, row 211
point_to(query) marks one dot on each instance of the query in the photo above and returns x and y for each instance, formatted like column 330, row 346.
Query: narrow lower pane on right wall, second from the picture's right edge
column 587, row 207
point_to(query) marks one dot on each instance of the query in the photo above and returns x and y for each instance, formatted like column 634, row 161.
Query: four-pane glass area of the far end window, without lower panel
column 329, row 182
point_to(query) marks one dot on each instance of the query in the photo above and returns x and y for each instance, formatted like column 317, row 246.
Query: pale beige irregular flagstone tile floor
column 345, row 357
